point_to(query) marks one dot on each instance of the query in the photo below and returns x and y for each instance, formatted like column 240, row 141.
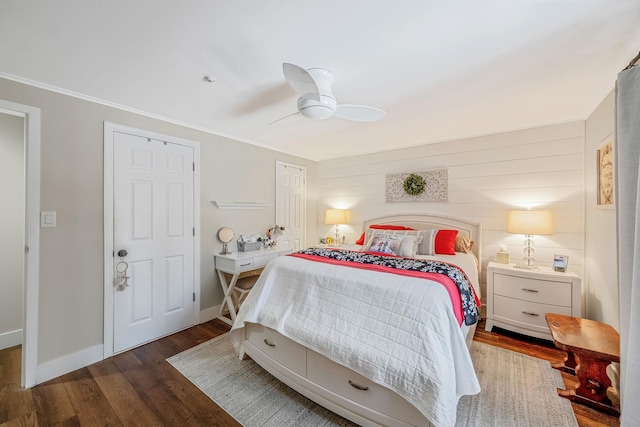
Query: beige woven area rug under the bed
column 517, row 390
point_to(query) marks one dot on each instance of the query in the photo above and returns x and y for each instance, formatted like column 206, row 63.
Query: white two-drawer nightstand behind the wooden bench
column 518, row 299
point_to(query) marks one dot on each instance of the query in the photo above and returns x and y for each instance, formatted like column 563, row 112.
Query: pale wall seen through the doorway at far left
column 12, row 176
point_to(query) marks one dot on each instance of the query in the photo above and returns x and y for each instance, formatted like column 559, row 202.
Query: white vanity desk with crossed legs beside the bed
column 236, row 263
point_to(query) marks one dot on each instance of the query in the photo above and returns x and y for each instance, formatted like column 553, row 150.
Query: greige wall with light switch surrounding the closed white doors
column 71, row 255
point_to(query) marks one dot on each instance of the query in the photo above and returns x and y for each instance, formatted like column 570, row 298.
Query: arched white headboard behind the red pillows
column 471, row 230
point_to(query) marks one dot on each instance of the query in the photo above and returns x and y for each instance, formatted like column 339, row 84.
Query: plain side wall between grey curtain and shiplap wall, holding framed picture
column 601, row 276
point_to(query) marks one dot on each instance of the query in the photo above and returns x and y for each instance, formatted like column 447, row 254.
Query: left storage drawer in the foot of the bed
column 278, row 347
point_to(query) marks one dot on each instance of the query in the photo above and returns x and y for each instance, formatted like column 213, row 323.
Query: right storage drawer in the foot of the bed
column 350, row 385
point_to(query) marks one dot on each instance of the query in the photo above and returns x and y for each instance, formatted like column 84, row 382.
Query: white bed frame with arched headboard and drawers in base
column 322, row 380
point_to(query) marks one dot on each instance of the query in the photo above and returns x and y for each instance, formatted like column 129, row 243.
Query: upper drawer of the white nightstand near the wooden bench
column 534, row 290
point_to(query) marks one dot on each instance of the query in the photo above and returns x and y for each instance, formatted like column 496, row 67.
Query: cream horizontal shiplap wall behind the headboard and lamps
column 488, row 175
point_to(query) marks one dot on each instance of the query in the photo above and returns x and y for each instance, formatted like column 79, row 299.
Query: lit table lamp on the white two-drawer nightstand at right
column 529, row 223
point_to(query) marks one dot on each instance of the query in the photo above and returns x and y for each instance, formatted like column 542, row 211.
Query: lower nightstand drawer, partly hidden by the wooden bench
column 525, row 313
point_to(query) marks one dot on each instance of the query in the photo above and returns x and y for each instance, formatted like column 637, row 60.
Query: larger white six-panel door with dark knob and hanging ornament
column 154, row 223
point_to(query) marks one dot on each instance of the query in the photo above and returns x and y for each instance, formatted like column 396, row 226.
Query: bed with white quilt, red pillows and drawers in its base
column 376, row 346
